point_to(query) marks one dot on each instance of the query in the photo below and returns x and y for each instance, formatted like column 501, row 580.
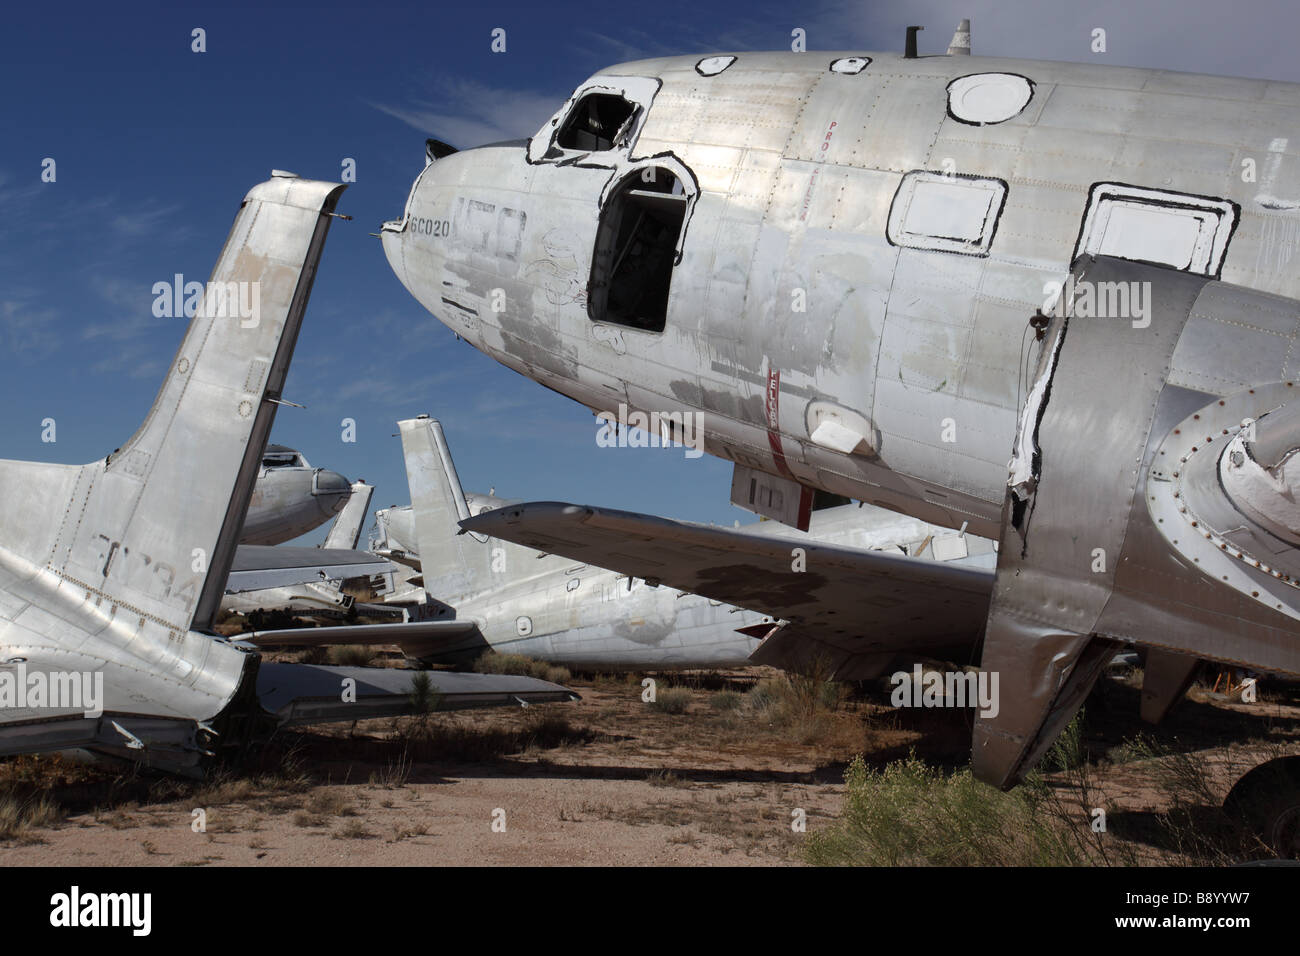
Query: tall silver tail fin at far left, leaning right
column 151, row 530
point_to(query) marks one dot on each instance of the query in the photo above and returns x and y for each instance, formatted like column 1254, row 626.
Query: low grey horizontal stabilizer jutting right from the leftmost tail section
column 300, row 694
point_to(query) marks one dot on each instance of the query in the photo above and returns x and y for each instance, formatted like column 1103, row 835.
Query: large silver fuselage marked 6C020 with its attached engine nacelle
column 838, row 259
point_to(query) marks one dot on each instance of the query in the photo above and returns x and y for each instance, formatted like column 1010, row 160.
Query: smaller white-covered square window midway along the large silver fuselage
column 946, row 213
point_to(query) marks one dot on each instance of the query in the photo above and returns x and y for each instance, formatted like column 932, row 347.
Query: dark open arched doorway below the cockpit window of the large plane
column 636, row 250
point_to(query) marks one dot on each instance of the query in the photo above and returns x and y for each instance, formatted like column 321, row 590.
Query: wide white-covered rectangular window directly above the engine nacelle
column 1186, row 232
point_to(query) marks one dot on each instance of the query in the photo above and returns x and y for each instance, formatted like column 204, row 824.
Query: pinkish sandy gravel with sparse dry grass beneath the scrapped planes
column 622, row 784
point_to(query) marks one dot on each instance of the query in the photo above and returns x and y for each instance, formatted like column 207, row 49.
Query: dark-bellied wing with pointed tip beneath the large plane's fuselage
column 855, row 609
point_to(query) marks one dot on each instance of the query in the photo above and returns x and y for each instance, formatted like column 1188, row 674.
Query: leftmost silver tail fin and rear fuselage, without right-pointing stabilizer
column 118, row 568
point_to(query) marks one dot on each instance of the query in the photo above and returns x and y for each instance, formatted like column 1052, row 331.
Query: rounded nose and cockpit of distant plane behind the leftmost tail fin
column 292, row 498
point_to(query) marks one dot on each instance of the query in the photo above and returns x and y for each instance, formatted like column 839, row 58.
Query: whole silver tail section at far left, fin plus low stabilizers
column 112, row 573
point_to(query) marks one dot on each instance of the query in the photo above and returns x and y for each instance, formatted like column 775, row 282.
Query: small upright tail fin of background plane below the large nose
column 452, row 564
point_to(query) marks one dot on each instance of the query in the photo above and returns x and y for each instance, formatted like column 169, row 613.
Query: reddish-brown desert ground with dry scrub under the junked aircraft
column 738, row 768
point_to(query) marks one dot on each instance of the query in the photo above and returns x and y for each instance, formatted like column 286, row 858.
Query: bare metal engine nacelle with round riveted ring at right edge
column 1171, row 559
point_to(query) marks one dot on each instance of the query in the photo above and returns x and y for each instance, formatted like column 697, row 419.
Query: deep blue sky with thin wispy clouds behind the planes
column 155, row 146
